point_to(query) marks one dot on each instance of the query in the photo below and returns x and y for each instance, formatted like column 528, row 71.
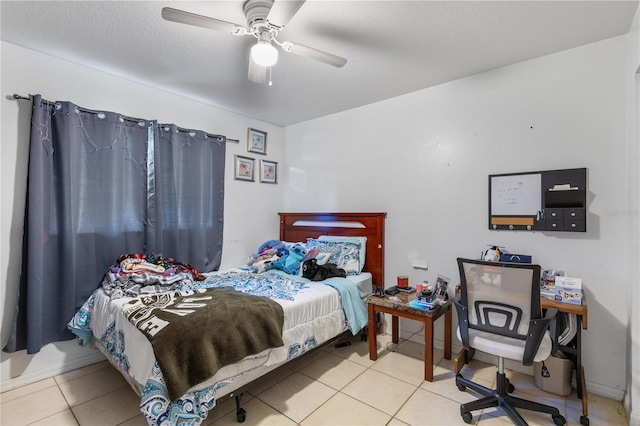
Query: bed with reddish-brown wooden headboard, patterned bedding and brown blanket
column 180, row 382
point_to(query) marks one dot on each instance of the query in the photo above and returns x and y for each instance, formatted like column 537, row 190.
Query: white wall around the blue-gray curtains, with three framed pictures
column 250, row 208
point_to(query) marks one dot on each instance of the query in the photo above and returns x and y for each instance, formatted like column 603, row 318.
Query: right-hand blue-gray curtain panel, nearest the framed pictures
column 189, row 168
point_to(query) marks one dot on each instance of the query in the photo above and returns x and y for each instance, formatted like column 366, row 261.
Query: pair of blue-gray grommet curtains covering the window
column 101, row 184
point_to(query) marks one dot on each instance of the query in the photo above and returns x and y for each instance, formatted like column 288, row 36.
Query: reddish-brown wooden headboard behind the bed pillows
column 296, row 227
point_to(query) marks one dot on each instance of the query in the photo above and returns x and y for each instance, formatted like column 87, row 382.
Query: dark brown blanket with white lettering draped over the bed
column 195, row 333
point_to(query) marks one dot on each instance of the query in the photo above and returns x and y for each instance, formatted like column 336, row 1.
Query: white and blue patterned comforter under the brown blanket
column 193, row 407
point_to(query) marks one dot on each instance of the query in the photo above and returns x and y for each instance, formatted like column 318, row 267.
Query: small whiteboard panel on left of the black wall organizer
column 516, row 195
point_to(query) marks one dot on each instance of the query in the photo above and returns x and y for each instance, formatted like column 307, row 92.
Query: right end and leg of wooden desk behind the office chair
column 581, row 312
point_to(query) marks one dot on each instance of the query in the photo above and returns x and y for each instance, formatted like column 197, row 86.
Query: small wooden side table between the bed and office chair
column 402, row 309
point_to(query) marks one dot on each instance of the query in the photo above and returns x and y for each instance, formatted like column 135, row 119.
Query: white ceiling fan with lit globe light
column 265, row 19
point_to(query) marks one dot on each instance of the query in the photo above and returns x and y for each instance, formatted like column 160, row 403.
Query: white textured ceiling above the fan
column 392, row 47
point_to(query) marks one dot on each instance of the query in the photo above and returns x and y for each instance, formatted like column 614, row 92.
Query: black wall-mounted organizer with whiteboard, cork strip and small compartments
column 550, row 200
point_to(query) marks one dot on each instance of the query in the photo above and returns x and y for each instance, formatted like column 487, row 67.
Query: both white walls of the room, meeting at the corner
column 423, row 158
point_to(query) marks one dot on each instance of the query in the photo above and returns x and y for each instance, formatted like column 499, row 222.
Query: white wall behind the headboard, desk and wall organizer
column 424, row 158
